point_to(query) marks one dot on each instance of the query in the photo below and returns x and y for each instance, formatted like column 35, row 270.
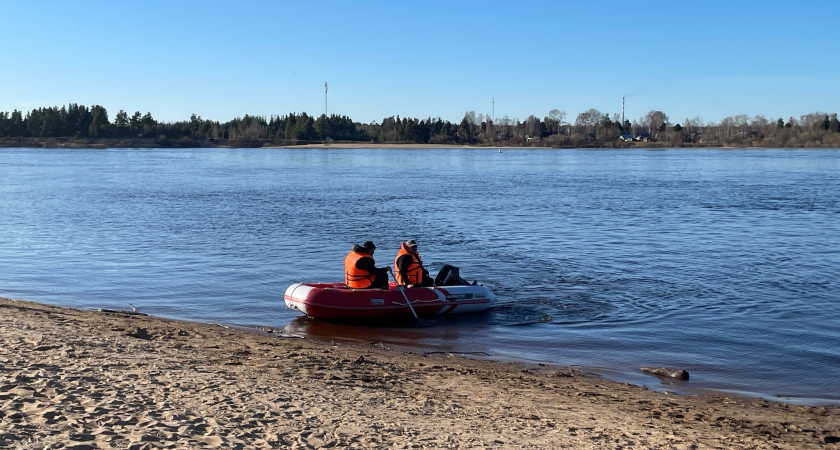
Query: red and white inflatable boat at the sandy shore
column 336, row 301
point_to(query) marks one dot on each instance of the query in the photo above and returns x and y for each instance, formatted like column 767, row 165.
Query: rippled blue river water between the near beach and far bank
column 722, row 262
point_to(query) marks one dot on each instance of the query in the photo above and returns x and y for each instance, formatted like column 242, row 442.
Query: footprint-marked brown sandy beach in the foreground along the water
column 81, row 379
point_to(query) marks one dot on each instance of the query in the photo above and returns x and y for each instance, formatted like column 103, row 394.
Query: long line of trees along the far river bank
column 589, row 128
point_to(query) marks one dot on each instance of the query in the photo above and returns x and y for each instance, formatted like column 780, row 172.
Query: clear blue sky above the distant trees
column 224, row 59
